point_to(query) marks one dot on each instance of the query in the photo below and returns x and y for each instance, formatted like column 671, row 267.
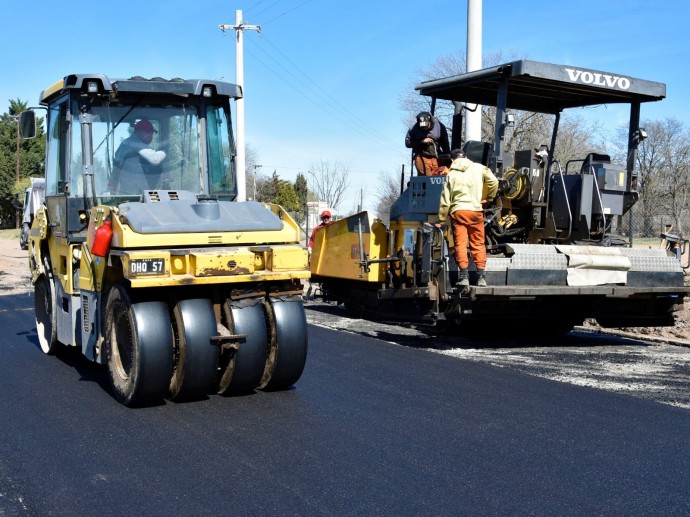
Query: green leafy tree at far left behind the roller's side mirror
column 31, row 155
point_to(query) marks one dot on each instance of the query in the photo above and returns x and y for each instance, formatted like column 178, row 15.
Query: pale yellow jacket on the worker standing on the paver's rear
column 467, row 184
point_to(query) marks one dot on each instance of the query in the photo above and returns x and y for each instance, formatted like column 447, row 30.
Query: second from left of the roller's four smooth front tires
column 195, row 359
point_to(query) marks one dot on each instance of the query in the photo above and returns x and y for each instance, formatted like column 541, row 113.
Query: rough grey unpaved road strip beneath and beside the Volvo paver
column 635, row 364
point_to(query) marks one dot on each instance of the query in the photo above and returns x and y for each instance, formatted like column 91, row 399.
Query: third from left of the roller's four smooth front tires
column 242, row 371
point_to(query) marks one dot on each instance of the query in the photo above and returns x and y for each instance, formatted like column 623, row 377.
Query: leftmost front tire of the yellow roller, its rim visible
column 142, row 334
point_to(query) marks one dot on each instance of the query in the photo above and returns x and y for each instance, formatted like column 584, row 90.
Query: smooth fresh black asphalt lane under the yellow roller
column 372, row 428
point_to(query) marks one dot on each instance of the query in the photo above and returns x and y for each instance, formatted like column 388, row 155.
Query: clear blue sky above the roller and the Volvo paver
column 324, row 79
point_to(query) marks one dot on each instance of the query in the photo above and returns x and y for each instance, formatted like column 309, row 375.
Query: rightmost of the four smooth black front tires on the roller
column 288, row 352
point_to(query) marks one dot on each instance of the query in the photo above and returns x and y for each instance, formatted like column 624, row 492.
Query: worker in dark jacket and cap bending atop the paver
column 428, row 139
